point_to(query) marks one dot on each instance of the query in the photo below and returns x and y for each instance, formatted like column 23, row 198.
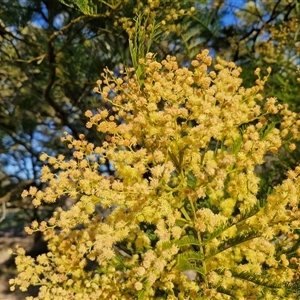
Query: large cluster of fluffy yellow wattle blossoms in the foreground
column 185, row 146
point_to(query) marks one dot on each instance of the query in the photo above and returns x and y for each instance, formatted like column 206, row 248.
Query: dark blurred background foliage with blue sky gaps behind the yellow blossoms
column 52, row 54
